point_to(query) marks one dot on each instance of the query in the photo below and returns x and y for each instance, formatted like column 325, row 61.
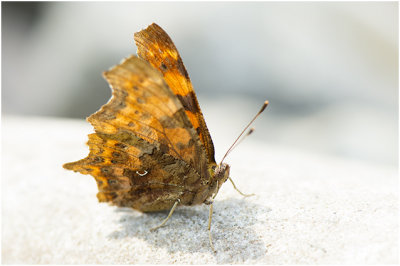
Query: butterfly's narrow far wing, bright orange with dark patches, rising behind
column 156, row 47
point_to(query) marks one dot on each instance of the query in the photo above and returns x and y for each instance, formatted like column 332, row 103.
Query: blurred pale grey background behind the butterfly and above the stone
column 329, row 70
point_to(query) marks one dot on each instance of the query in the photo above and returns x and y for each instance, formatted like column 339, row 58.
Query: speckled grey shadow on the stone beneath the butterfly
column 233, row 223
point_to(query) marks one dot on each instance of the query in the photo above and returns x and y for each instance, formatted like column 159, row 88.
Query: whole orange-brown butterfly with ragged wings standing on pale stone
column 151, row 149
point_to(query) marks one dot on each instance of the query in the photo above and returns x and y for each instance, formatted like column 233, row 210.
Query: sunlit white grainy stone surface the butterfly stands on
column 308, row 208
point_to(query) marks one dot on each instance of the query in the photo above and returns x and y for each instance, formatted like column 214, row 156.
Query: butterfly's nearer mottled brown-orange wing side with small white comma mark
column 145, row 152
